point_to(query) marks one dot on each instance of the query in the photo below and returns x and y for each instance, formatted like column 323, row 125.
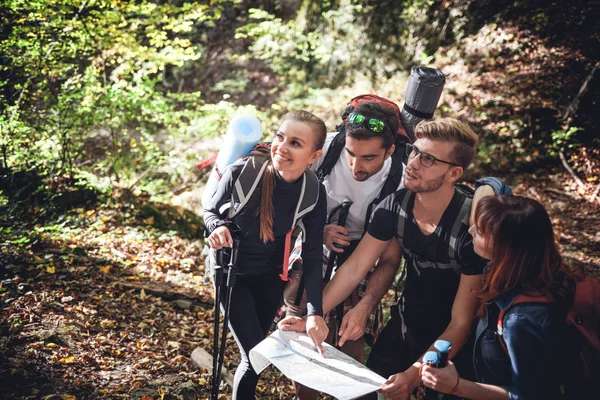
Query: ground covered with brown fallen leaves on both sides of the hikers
column 98, row 303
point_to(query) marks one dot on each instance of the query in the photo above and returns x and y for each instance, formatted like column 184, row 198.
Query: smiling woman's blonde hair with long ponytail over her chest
column 268, row 180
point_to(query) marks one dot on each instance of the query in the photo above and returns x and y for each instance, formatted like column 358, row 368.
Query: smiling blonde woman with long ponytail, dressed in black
column 262, row 226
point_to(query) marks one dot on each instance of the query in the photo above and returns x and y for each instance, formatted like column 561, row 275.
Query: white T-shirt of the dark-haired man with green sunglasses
column 340, row 185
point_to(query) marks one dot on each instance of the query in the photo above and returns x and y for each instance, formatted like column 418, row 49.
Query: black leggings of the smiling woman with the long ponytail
column 255, row 300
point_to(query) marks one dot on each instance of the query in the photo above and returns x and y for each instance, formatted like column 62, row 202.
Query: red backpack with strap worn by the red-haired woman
column 584, row 319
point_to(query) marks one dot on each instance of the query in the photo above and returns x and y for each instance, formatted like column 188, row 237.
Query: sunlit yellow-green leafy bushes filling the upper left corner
column 97, row 71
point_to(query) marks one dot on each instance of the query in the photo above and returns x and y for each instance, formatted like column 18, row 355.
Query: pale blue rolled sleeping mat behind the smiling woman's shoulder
column 243, row 133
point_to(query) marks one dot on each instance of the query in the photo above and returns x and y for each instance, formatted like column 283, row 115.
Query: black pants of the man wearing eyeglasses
column 392, row 354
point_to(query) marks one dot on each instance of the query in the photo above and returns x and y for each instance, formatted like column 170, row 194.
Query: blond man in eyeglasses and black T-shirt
column 429, row 219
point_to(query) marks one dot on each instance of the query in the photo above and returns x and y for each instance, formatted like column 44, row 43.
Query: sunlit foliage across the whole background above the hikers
column 116, row 94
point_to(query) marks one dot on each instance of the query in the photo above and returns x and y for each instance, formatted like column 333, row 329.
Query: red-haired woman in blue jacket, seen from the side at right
column 516, row 234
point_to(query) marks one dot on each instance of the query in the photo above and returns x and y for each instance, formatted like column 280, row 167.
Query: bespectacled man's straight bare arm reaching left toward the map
column 349, row 274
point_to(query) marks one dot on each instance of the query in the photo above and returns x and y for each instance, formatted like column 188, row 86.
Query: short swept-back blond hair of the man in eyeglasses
column 451, row 130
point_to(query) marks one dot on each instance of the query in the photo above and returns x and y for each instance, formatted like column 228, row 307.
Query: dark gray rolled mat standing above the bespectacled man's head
column 424, row 89
